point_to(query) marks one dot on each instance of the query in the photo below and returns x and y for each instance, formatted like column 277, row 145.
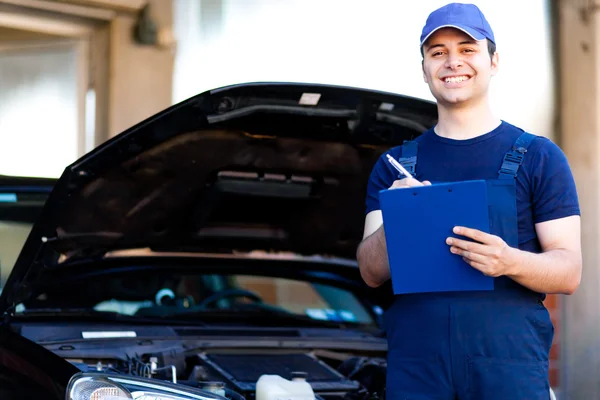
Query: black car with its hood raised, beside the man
column 210, row 245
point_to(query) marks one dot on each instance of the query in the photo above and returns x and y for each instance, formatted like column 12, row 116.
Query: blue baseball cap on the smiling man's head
column 466, row 17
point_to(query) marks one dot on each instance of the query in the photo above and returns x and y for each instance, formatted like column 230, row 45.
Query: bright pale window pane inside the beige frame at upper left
column 39, row 109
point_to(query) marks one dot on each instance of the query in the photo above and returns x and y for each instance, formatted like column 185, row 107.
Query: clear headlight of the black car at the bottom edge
column 99, row 386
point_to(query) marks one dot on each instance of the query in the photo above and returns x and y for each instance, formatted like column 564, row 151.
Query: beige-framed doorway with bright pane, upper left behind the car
column 54, row 63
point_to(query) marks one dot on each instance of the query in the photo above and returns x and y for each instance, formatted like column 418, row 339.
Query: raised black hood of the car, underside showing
column 273, row 166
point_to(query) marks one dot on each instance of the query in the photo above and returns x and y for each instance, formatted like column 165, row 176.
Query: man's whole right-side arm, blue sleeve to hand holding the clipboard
column 555, row 207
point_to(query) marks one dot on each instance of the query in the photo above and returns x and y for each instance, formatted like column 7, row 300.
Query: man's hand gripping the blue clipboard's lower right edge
column 490, row 254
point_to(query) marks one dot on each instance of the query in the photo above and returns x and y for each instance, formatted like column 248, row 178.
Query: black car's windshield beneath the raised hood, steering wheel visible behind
column 175, row 295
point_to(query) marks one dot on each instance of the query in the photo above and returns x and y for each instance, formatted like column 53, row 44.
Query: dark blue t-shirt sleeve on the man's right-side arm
column 554, row 191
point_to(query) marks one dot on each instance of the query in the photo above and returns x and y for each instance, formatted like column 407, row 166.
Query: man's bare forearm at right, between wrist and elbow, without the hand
column 554, row 271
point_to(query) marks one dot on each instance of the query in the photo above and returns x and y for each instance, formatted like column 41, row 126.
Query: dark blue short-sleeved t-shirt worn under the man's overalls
column 545, row 185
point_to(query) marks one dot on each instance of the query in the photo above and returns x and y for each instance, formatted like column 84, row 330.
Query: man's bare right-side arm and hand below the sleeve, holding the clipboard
column 556, row 270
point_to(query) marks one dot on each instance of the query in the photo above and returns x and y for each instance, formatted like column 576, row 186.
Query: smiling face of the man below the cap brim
column 457, row 68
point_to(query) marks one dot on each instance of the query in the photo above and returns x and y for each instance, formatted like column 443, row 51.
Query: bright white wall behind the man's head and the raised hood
column 363, row 43
